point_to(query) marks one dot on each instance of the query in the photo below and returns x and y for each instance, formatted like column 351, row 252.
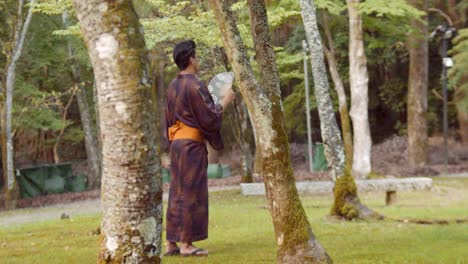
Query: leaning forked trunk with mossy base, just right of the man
column 294, row 237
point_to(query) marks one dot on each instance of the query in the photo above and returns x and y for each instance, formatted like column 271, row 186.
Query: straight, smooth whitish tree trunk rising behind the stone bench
column 359, row 93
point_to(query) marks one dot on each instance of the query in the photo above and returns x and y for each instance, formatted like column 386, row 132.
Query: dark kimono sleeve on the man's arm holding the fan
column 207, row 114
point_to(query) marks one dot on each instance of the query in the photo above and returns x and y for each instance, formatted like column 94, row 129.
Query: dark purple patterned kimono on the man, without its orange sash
column 189, row 101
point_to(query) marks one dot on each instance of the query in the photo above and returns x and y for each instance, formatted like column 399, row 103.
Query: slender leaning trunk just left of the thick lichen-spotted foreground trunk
column 93, row 154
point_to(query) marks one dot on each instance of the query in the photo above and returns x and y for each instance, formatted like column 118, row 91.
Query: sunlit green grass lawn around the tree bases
column 241, row 232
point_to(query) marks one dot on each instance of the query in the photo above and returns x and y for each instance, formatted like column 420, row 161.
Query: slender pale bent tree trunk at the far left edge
column 11, row 187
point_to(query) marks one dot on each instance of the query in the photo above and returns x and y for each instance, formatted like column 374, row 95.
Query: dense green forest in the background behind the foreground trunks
column 54, row 71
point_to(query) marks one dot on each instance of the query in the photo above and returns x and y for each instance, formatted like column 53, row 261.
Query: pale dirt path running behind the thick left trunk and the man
column 80, row 208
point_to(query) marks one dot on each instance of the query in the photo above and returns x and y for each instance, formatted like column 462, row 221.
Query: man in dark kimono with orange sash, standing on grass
column 191, row 118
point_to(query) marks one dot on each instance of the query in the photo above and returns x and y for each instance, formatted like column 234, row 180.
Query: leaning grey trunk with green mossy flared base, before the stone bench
column 346, row 201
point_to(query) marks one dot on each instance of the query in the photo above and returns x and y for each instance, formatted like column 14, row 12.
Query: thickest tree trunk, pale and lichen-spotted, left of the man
column 131, row 185
